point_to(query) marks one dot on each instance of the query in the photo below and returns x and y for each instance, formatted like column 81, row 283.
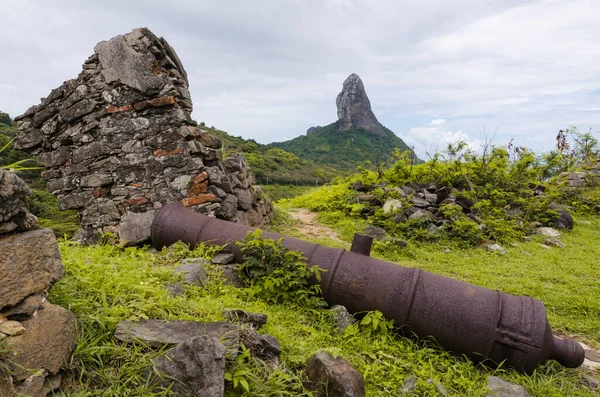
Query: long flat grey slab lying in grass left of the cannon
column 156, row 333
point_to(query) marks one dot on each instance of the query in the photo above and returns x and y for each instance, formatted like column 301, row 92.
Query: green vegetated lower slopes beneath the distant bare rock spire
column 344, row 150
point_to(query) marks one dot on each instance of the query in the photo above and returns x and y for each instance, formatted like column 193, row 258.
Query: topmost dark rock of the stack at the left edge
column 14, row 216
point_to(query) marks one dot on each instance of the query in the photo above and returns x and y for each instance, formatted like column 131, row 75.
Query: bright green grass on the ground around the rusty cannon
column 566, row 280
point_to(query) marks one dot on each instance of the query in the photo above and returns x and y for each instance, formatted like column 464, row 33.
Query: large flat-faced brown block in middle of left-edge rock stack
column 29, row 263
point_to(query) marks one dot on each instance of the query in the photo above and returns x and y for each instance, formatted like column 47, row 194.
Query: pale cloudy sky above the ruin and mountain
column 436, row 71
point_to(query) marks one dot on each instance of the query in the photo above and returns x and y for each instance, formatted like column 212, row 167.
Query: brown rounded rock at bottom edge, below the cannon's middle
column 333, row 377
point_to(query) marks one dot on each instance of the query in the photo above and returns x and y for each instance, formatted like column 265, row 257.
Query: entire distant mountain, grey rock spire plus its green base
column 357, row 135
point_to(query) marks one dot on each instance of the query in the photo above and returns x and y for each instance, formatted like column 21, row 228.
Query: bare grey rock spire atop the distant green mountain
column 354, row 107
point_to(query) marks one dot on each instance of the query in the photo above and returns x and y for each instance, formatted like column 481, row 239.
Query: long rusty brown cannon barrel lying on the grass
column 463, row 318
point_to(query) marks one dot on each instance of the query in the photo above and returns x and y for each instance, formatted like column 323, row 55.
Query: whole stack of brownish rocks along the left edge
column 39, row 335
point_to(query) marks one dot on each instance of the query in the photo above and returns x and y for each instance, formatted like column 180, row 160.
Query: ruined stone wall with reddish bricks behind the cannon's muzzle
column 118, row 142
